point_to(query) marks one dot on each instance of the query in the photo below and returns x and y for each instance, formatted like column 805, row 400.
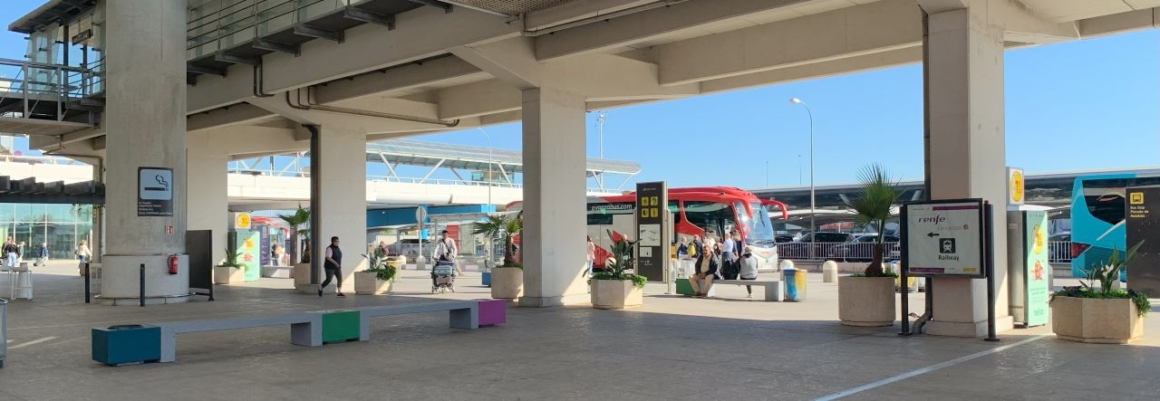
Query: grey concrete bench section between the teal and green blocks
column 306, row 330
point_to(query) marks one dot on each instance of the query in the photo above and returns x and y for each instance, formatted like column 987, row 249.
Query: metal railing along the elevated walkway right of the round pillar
column 238, row 21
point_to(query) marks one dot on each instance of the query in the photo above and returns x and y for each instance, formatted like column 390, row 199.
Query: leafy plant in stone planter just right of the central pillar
column 615, row 288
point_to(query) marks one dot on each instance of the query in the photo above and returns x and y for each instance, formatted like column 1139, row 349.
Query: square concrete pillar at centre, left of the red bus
column 554, row 199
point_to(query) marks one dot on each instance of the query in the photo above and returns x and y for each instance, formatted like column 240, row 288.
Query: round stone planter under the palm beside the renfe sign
column 866, row 302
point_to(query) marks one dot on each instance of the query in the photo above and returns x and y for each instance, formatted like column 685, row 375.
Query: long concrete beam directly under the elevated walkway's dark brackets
column 422, row 35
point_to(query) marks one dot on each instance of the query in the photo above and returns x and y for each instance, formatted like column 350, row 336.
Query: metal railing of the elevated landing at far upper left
column 34, row 90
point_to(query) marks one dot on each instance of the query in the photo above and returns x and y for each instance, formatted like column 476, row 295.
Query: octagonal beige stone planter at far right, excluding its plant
column 1100, row 322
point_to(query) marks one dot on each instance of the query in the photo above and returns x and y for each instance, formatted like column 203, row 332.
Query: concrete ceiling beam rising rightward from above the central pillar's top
column 650, row 25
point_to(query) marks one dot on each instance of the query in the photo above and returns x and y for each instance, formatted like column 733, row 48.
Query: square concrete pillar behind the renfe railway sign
column 967, row 157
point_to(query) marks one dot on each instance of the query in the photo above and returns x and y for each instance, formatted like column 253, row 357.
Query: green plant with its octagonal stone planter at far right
column 1104, row 316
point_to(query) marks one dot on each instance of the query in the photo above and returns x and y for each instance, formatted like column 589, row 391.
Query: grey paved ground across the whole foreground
column 671, row 349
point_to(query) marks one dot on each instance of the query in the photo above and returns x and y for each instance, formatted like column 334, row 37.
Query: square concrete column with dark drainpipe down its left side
column 342, row 180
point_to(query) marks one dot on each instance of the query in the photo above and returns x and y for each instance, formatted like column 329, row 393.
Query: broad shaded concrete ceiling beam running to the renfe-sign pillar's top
column 872, row 28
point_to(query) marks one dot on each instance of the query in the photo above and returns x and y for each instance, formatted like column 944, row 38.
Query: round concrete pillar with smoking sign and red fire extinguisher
column 146, row 120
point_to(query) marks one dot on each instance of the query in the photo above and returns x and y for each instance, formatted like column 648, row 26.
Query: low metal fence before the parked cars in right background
column 1058, row 252
